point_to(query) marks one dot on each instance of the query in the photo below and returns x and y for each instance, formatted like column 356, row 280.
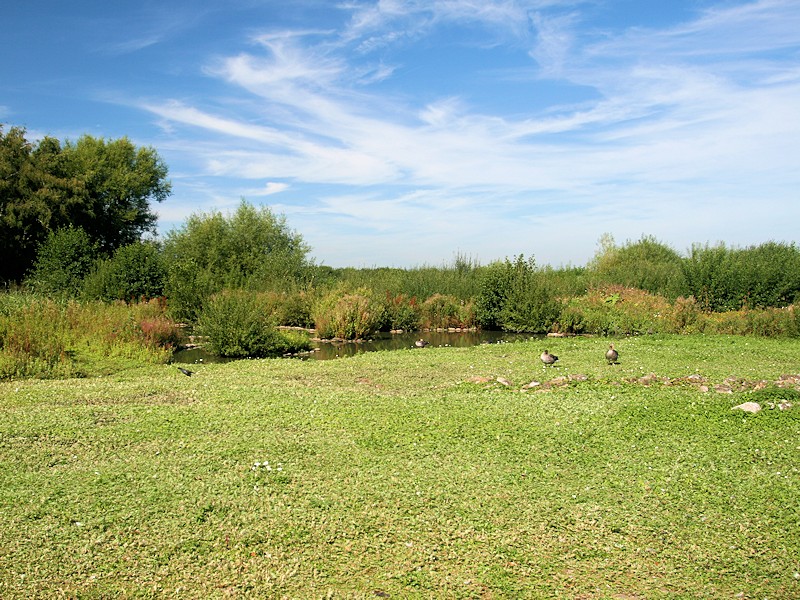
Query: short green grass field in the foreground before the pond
column 411, row 474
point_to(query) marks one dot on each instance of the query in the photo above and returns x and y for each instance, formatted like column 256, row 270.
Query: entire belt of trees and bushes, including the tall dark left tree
column 75, row 217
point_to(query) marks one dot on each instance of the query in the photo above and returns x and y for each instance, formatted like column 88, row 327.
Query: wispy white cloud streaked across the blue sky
column 689, row 120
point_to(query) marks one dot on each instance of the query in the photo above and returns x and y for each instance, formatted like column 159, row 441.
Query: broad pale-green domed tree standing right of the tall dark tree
column 250, row 249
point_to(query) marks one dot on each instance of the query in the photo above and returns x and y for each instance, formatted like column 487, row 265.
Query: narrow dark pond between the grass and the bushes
column 384, row 341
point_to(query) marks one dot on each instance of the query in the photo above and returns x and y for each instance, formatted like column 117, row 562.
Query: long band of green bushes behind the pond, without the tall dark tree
column 253, row 254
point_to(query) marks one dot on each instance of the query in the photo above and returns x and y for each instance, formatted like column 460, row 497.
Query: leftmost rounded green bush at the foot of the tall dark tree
column 62, row 262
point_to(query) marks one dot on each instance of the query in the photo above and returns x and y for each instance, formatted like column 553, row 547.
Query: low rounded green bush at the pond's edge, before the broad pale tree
column 239, row 324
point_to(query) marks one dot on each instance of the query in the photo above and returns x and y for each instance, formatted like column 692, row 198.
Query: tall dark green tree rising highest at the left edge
column 103, row 187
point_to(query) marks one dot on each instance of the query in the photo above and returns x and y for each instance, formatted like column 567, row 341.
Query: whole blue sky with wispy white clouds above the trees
column 406, row 132
